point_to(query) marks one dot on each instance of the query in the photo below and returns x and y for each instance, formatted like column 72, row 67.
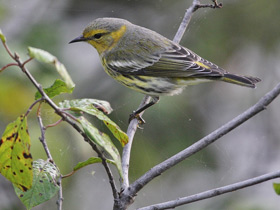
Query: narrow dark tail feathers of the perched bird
column 247, row 81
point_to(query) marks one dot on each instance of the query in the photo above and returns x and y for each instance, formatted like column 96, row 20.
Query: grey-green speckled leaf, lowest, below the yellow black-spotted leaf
column 44, row 185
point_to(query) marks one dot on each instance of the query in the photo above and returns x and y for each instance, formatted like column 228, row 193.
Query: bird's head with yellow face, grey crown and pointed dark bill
column 103, row 33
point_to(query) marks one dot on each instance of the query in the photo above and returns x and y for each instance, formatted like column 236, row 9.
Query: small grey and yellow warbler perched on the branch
column 147, row 62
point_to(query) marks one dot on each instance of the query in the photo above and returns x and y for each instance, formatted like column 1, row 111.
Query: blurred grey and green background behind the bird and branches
column 243, row 38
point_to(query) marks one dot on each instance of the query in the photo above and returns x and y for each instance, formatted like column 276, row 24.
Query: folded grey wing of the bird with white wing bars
column 175, row 61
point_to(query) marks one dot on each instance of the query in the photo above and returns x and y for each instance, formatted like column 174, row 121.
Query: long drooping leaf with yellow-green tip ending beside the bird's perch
column 86, row 106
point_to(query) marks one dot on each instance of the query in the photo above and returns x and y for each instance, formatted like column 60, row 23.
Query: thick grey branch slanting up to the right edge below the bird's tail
column 204, row 142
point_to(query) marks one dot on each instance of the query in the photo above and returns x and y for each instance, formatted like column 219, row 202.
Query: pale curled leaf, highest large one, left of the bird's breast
column 46, row 57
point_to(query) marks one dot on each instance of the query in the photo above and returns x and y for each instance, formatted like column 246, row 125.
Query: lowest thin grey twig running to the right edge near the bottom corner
column 214, row 192
